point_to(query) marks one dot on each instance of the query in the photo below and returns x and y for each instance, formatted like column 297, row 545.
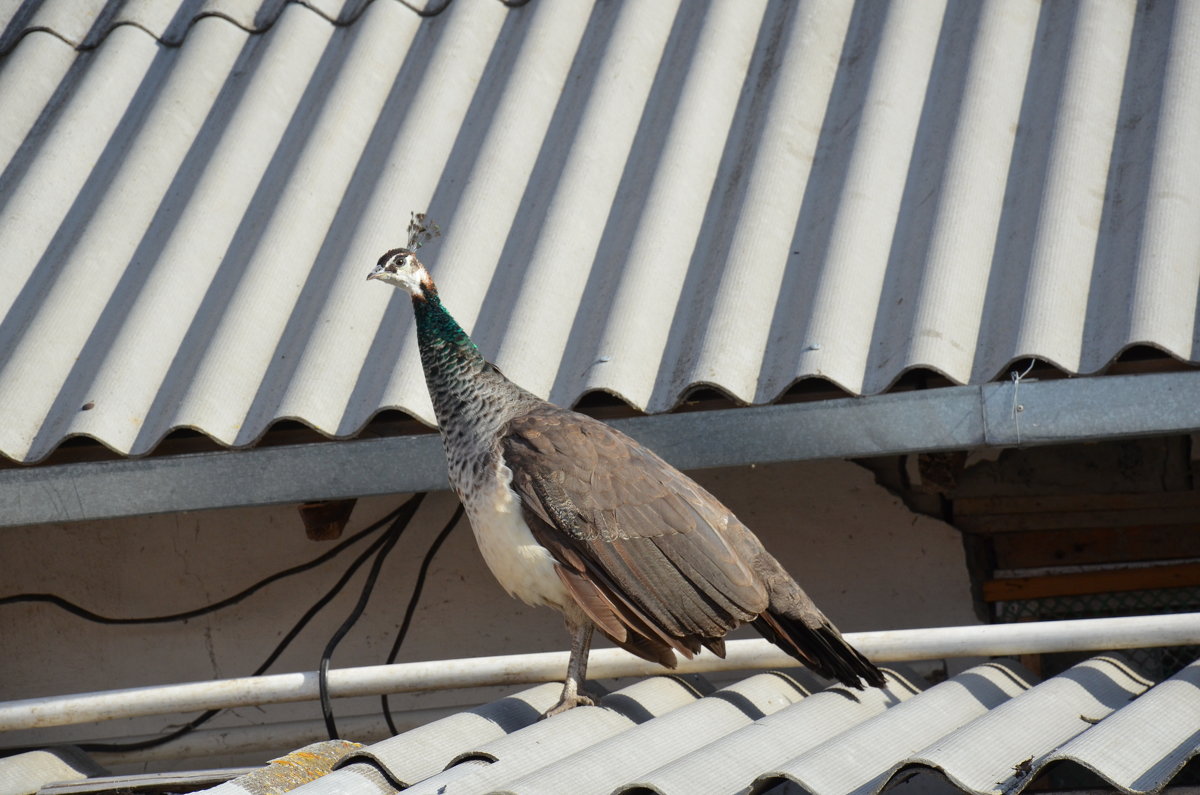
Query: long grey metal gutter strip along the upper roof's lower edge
column 995, row 415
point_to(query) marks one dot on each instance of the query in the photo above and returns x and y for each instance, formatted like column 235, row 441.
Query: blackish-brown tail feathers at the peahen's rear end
column 821, row 648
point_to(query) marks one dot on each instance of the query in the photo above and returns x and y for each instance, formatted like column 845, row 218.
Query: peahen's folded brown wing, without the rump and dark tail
column 628, row 537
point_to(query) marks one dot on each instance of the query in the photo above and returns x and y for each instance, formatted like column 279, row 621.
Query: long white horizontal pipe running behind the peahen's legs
column 896, row 645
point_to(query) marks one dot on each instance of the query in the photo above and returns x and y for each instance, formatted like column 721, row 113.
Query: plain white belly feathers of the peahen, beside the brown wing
column 523, row 566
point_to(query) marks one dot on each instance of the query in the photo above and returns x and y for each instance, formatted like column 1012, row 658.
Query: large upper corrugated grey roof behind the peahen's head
column 639, row 199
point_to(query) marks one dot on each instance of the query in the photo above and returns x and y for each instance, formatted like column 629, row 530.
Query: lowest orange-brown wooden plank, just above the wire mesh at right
column 1107, row 582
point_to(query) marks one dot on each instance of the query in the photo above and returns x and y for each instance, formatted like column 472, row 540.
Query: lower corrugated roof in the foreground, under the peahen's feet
column 992, row 730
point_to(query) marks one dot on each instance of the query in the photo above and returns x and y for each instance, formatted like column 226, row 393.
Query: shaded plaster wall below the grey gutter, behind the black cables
column 865, row 558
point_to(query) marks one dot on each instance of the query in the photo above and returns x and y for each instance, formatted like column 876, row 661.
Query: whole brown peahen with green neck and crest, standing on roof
column 573, row 515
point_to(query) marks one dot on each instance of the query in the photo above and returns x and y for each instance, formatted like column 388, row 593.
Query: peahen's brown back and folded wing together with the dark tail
column 652, row 559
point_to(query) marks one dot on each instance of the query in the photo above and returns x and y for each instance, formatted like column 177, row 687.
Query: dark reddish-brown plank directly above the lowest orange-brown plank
column 1093, row 546
